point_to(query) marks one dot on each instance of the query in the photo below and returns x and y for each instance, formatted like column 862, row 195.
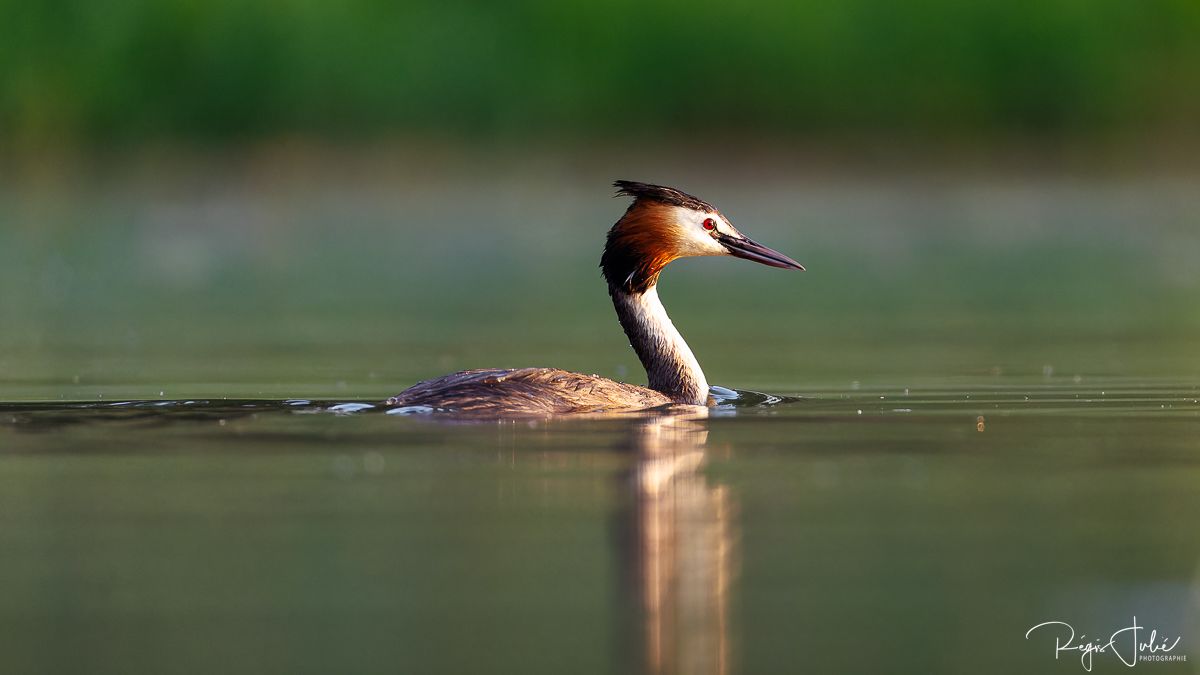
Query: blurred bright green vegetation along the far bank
column 225, row 70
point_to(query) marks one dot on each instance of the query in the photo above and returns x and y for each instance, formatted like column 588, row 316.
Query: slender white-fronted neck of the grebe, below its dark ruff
column 669, row 362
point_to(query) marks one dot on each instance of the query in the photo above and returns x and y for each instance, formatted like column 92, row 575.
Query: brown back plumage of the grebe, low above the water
column 527, row 392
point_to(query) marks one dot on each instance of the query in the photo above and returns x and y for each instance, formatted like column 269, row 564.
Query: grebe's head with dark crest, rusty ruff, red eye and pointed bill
column 663, row 225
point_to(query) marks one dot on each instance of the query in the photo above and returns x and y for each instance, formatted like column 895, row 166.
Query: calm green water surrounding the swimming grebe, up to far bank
column 997, row 425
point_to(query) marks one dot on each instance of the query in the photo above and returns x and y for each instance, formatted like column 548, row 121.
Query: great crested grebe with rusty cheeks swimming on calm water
column 661, row 226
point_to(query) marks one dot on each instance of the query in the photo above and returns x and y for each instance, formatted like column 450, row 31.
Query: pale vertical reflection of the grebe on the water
column 680, row 549
